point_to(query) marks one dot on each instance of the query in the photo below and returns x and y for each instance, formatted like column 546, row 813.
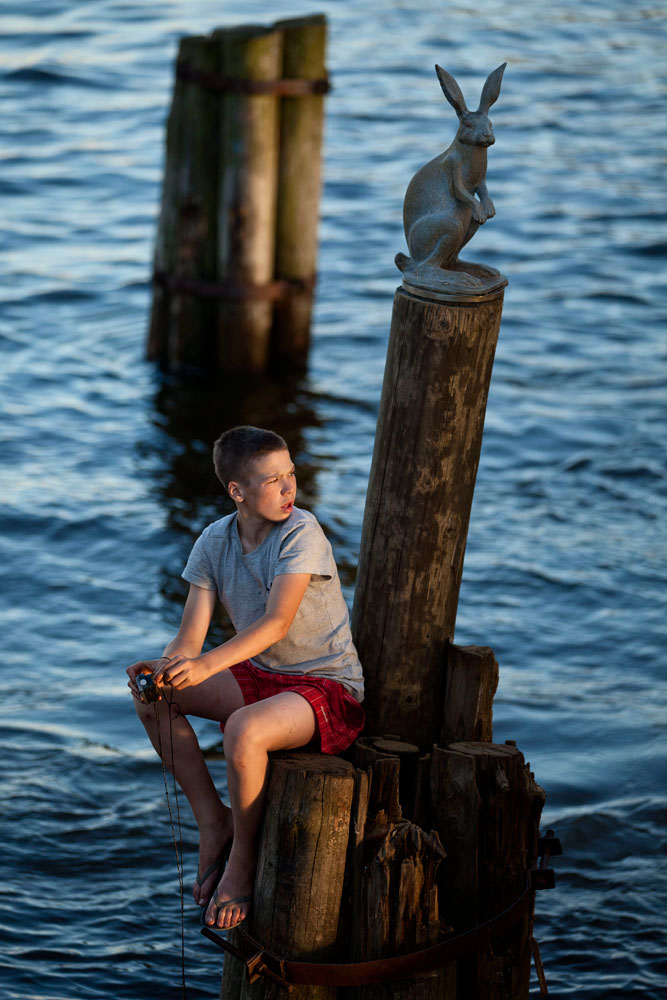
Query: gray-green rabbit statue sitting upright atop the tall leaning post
column 441, row 213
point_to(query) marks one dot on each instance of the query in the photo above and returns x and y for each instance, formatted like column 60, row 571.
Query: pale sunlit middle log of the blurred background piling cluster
column 248, row 151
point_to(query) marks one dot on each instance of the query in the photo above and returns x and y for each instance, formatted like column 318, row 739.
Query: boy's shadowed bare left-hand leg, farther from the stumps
column 215, row 699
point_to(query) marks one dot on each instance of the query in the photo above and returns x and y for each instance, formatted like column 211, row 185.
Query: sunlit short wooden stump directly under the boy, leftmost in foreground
column 299, row 883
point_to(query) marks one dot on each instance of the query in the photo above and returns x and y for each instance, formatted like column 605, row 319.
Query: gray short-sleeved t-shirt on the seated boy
column 319, row 641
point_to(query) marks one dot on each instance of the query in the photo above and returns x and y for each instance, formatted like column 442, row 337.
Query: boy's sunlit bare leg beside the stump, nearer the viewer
column 282, row 722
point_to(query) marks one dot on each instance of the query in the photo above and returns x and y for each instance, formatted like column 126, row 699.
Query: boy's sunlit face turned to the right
column 268, row 490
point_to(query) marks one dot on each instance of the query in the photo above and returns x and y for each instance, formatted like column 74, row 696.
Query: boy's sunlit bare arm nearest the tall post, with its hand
column 186, row 669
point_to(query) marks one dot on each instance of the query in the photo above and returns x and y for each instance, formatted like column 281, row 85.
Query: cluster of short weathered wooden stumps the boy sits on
column 385, row 856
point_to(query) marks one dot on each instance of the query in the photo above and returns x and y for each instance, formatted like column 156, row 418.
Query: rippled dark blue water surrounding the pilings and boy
column 105, row 468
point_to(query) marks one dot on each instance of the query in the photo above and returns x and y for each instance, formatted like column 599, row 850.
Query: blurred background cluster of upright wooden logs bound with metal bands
column 236, row 245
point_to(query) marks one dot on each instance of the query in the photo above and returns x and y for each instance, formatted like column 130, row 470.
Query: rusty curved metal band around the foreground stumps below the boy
column 262, row 962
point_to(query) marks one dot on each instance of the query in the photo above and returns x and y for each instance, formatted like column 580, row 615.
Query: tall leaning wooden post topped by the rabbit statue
column 427, row 446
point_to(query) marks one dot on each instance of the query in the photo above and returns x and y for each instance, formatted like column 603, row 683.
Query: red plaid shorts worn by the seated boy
column 340, row 718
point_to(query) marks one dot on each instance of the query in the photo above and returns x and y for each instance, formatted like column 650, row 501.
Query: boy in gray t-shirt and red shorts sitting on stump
column 290, row 674
